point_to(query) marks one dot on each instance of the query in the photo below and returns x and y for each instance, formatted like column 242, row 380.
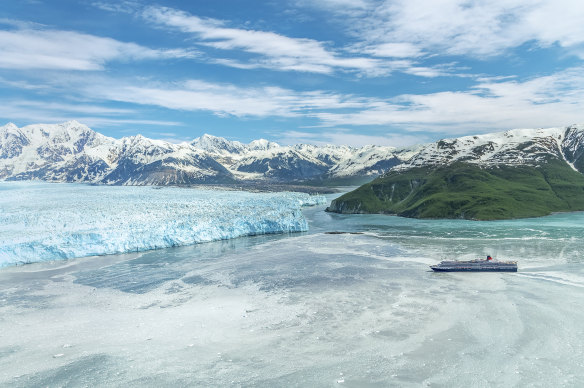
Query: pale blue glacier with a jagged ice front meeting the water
column 48, row 221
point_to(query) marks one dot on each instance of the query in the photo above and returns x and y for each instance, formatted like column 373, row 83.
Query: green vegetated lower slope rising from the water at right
column 464, row 190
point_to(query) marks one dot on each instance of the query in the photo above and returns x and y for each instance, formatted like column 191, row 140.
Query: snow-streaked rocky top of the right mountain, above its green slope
column 514, row 147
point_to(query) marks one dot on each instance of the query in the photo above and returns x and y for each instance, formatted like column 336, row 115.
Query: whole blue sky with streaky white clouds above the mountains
column 351, row 72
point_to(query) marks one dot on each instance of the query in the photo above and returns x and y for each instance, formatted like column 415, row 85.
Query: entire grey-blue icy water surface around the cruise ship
column 308, row 309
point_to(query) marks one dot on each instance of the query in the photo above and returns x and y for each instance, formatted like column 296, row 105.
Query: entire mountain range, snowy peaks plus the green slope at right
column 512, row 174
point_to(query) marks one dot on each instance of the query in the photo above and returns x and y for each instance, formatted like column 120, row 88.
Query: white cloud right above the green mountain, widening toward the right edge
column 548, row 101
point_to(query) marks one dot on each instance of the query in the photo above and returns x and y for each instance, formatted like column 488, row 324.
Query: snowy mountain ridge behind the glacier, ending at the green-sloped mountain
column 72, row 152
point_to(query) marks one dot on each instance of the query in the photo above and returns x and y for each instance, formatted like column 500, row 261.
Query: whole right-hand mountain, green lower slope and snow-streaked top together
column 512, row 174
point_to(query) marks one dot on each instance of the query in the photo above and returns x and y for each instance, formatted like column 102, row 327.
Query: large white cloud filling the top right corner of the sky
column 478, row 28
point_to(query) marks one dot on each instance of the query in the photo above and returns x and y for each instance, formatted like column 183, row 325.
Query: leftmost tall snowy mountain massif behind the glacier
column 71, row 152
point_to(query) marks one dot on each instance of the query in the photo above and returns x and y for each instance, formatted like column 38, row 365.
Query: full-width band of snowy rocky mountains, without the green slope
column 72, row 152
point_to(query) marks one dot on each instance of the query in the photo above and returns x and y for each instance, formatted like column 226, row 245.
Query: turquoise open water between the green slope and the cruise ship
column 535, row 241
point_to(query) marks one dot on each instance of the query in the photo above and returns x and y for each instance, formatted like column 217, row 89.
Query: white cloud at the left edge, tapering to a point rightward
column 68, row 50
